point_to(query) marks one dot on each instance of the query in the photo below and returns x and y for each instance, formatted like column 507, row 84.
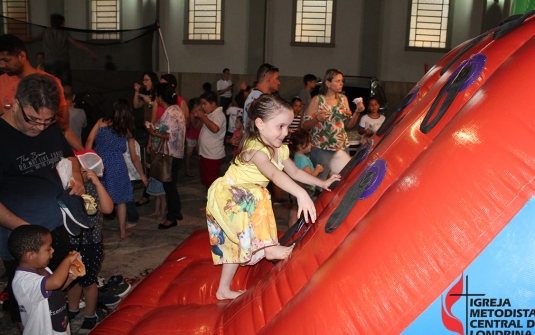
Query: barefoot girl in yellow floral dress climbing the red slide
column 240, row 219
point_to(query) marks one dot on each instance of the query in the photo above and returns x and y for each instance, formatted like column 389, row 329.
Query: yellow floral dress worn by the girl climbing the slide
column 240, row 219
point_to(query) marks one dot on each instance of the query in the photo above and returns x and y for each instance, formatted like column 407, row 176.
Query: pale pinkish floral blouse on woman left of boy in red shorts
column 174, row 120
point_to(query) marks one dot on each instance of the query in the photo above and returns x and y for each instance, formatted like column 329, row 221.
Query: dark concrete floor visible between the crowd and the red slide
column 148, row 246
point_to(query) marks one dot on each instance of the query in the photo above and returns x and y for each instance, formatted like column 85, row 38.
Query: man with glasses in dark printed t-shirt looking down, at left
column 31, row 144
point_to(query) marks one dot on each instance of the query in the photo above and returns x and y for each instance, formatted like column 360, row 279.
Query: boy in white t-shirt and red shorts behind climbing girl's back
column 211, row 138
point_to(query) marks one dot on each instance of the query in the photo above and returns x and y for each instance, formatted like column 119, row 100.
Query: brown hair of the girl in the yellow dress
column 265, row 107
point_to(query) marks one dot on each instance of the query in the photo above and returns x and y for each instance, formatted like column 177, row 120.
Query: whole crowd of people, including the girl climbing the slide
column 286, row 144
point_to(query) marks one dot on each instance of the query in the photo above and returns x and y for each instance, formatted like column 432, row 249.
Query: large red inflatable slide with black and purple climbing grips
column 418, row 208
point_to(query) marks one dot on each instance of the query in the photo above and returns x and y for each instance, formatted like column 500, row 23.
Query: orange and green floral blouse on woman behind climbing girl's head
column 330, row 134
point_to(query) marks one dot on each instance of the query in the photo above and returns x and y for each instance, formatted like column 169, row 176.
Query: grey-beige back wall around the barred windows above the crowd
column 394, row 62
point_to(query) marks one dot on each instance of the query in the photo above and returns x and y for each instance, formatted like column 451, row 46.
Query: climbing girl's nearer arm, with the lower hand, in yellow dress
column 281, row 179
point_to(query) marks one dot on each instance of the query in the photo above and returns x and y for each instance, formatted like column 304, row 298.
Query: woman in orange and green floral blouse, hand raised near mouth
column 327, row 116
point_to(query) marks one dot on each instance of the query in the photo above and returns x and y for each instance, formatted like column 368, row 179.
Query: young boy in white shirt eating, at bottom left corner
column 38, row 290
